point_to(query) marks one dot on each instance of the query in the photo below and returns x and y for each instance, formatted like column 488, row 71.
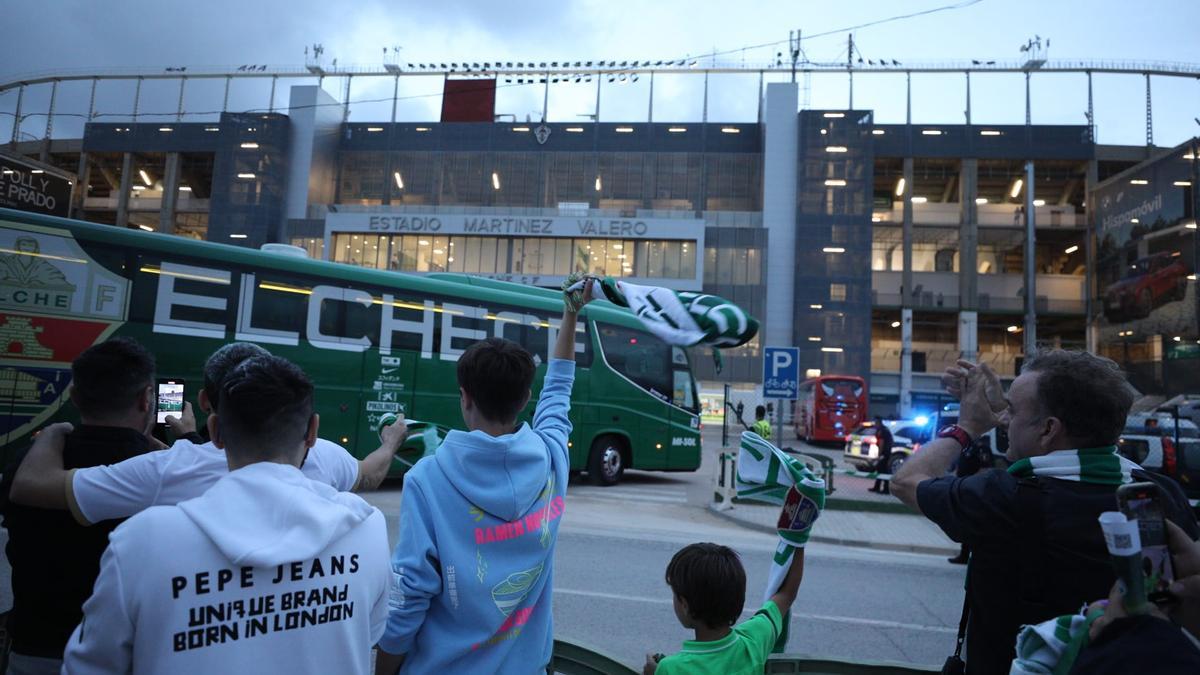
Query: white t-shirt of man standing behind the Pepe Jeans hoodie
column 184, row 471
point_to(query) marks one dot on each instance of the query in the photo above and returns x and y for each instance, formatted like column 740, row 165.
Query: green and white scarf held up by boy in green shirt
column 767, row 474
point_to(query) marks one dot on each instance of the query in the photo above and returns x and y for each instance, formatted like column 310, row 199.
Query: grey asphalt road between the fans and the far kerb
column 615, row 545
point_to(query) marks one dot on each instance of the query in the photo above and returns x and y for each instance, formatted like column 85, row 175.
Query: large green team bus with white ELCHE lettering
column 373, row 342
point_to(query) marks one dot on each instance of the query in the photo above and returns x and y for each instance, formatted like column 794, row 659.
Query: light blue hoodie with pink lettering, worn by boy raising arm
column 473, row 570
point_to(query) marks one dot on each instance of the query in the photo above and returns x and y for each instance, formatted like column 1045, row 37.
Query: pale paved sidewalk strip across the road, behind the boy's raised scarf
column 887, row 531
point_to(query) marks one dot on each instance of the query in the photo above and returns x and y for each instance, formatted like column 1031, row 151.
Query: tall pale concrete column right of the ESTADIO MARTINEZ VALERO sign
column 781, row 166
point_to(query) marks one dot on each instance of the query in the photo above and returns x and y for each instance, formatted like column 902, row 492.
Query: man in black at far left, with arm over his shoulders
column 56, row 560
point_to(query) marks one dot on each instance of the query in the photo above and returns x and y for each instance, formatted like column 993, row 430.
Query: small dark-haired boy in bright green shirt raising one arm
column 710, row 589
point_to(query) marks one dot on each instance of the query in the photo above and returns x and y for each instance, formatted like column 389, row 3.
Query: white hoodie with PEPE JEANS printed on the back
column 267, row 572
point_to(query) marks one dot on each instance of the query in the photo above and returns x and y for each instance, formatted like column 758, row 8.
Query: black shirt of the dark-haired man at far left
column 56, row 560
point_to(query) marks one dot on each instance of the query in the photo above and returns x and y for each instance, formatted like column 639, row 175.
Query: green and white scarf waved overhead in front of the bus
column 677, row 318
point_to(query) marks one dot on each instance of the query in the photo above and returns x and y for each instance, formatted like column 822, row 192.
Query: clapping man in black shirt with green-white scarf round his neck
column 1037, row 547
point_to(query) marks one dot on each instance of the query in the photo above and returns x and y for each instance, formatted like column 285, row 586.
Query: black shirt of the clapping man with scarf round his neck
column 1037, row 551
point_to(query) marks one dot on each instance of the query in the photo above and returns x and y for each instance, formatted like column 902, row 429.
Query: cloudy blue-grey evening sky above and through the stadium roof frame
column 77, row 35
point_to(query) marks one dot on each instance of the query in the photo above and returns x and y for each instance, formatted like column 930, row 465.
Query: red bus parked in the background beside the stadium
column 829, row 408
